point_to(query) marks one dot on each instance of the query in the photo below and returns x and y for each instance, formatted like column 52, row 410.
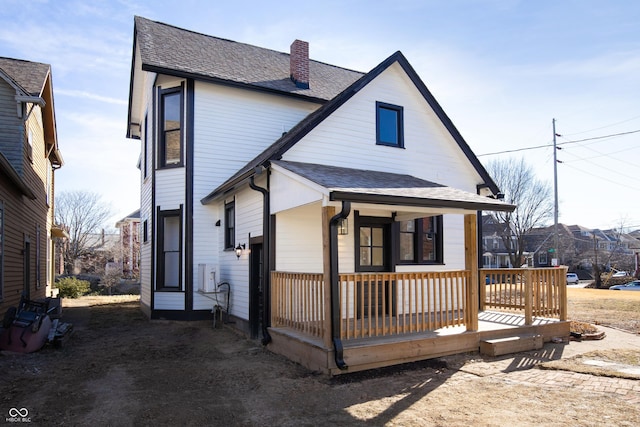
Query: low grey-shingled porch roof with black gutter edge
column 365, row 186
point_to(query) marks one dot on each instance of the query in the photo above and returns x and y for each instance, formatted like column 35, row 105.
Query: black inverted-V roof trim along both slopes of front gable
column 288, row 140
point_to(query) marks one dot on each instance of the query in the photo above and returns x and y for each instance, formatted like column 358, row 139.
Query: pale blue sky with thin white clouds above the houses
column 501, row 69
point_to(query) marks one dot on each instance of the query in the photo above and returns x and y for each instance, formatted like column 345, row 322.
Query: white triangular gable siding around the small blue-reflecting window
column 348, row 137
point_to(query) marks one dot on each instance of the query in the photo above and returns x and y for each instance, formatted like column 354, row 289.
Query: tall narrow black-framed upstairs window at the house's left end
column 171, row 124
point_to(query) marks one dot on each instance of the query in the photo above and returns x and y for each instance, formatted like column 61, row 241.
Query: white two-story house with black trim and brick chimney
column 330, row 200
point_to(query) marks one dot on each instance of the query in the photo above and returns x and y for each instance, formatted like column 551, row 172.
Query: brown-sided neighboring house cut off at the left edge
column 29, row 156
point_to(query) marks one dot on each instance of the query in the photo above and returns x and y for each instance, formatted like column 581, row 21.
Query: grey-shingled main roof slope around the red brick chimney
column 171, row 50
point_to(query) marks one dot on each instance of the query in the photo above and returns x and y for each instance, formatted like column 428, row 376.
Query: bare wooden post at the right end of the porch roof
column 471, row 265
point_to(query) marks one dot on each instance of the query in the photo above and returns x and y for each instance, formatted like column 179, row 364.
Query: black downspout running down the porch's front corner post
column 335, row 291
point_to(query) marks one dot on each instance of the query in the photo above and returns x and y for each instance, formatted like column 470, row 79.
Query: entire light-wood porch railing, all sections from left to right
column 383, row 304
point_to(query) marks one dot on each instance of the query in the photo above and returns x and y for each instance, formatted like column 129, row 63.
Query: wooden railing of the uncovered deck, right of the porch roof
column 534, row 291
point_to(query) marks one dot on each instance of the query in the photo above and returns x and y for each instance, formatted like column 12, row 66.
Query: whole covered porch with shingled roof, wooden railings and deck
column 347, row 302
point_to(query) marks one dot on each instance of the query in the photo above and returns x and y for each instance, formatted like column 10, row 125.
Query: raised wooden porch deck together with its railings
column 431, row 315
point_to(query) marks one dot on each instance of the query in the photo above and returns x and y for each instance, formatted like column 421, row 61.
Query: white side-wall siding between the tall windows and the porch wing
column 231, row 127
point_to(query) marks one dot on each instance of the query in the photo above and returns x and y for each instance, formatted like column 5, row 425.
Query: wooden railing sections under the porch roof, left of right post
column 373, row 304
